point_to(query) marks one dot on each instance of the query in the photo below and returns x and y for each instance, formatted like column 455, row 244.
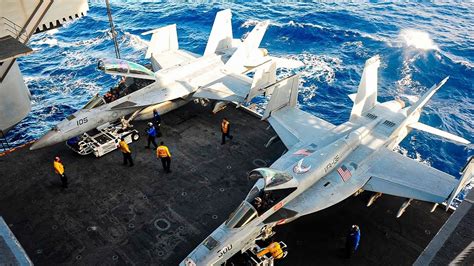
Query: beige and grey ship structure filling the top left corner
column 21, row 19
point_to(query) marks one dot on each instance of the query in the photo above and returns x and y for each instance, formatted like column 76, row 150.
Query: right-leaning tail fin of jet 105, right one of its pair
column 248, row 50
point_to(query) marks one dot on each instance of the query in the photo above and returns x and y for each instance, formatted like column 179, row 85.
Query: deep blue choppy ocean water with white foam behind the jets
column 419, row 45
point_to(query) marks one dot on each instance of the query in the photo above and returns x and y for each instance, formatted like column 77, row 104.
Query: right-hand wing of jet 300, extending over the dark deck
column 394, row 174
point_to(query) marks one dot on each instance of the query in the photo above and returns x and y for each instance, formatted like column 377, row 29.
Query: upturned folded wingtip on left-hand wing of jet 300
column 284, row 94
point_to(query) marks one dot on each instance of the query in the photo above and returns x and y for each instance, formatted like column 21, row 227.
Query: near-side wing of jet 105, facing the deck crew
column 231, row 87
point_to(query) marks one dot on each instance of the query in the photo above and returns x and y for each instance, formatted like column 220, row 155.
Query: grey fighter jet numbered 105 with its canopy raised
column 180, row 76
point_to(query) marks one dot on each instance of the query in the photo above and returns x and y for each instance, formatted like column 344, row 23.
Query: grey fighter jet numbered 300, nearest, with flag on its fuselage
column 325, row 164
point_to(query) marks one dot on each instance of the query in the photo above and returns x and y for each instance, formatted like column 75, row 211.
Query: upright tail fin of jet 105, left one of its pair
column 221, row 33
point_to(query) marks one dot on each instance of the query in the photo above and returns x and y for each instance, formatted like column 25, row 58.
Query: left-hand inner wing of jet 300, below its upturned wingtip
column 293, row 125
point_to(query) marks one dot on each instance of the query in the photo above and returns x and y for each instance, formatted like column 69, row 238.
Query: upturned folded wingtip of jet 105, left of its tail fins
column 163, row 39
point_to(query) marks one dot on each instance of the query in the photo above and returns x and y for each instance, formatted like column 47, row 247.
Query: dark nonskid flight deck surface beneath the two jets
column 114, row 214
